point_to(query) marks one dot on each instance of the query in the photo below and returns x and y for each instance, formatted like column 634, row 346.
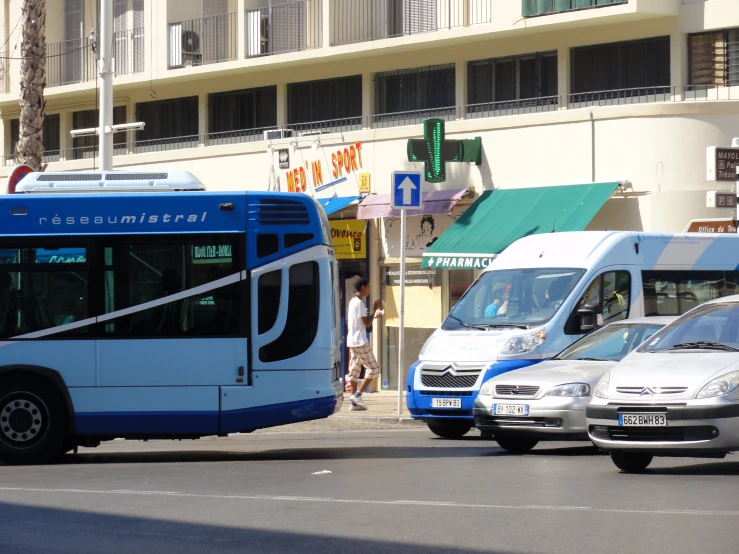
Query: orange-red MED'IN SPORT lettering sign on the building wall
column 344, row 161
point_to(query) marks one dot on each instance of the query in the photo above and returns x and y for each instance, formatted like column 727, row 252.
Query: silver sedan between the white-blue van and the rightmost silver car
column 547, row 401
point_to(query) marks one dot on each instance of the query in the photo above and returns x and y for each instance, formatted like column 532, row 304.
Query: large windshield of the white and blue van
column 513, row 298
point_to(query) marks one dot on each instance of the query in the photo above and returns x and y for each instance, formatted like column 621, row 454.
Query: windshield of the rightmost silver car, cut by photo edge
column 713, row 327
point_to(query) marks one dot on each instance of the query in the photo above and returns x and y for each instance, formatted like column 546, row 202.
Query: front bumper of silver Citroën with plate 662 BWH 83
column 693, row 429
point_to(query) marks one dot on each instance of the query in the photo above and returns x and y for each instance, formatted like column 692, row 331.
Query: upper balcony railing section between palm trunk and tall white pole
column 70, row 61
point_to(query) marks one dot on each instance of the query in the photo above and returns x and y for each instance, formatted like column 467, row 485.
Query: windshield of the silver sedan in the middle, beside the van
column 611, row 343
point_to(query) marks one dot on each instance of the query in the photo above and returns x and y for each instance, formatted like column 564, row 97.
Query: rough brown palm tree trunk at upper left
column 30, row 147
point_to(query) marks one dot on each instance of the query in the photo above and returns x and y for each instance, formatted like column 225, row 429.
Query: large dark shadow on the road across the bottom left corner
column 32, row 530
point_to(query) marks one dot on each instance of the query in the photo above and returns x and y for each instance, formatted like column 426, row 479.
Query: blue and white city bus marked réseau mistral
column 172, row 313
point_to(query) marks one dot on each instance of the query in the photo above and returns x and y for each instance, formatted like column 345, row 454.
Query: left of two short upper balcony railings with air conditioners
column 203, row 41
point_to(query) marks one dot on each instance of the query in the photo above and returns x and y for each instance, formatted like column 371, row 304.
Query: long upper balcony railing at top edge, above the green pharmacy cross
column 365, row 20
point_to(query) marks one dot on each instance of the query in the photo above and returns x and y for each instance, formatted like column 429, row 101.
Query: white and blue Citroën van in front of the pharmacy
column 546, row 291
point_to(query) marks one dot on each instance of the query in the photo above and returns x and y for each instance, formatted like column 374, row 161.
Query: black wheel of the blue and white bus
column 33, row 421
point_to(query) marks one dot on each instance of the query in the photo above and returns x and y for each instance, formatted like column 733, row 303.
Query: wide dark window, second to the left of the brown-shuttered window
column 532, row 76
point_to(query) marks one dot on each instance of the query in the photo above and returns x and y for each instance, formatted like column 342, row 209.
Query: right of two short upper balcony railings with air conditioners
column 289, row 27
